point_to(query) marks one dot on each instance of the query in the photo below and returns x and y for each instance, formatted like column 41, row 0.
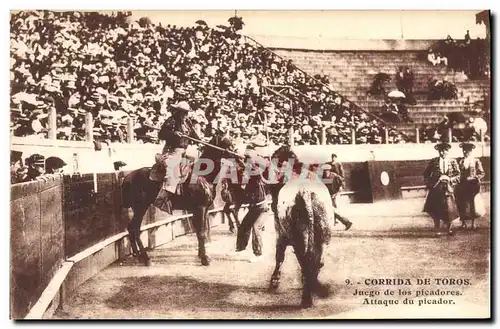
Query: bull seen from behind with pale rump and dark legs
column 303, row 214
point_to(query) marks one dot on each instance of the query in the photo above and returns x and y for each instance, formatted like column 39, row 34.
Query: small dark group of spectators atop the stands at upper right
column 467, row 55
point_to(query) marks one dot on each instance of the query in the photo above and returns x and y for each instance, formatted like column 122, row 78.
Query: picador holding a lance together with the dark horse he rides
column 168, row 180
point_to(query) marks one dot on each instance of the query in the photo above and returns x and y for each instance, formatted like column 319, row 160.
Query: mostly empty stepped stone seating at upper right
column 351, row 74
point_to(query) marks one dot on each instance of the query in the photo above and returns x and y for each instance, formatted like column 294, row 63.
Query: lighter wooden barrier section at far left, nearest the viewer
column 37, row 240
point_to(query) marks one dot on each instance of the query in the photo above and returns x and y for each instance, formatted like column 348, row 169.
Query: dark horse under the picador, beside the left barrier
column 197, row 196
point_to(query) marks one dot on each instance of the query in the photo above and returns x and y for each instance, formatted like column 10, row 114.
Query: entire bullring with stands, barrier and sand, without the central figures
column 70, row 249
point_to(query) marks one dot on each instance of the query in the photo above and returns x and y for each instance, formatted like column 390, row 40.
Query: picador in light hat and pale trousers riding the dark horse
column 168, row 165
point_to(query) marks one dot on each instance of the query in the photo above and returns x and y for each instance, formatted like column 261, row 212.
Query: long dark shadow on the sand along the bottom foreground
column 183, row 296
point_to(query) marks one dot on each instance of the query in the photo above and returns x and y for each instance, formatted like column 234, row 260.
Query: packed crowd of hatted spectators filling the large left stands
column 116, row 69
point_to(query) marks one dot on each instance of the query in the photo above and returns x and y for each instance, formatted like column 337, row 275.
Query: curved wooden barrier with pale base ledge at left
column 67, row 229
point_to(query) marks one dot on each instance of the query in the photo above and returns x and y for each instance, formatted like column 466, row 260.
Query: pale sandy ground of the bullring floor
column 390, row 240
